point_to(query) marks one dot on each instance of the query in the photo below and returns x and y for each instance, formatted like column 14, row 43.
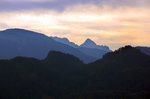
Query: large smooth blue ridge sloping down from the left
column 19, row 42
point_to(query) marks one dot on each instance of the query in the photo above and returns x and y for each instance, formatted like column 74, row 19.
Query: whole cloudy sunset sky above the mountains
column 114, row 23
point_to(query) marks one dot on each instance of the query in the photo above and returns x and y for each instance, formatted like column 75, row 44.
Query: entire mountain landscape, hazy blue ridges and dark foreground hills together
column 35, row 66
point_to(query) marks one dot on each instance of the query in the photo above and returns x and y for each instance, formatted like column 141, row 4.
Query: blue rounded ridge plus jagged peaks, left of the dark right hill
column 20, row 42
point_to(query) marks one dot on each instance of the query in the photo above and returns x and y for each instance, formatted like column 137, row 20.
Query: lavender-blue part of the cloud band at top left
column 58, row 5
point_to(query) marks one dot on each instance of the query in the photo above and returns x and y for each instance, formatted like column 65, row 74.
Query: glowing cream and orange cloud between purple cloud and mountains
column 105, row 25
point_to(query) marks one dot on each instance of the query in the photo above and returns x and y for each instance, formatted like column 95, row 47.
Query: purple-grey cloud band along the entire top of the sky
column 61, row 5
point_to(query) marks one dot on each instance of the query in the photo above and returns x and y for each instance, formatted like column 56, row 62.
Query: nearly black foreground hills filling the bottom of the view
column 122, row 74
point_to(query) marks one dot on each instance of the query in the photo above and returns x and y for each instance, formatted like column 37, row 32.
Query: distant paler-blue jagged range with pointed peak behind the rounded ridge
column 89, row 47
